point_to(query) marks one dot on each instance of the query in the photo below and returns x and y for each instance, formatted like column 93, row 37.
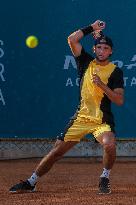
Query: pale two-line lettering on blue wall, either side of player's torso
column 128, row 81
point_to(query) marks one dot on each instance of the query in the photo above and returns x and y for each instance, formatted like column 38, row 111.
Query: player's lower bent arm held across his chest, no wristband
column 116, row 95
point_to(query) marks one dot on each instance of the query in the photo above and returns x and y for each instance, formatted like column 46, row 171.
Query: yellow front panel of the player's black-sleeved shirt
column 91, row 94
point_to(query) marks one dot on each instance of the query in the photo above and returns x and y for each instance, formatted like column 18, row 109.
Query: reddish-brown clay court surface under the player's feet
column 70, row 182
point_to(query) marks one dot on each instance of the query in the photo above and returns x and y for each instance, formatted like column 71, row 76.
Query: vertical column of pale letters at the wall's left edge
column 1, row 73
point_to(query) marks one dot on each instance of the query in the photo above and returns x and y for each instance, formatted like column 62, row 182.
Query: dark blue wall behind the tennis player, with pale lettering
column 38, row 88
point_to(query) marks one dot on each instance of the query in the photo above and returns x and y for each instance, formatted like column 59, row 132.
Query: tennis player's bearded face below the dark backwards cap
column 102, row 51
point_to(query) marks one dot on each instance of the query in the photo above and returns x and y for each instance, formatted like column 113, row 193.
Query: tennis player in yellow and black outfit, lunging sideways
column 101, row 83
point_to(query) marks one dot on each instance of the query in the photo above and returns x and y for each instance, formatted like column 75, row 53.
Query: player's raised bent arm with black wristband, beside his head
column 74, row 38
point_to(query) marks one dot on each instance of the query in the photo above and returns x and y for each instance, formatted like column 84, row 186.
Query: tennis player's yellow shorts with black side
column 81, row 127
